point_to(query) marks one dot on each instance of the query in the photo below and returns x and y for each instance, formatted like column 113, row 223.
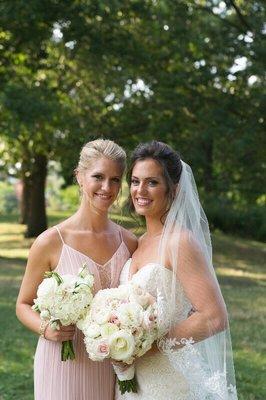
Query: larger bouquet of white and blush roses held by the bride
column 121, row 325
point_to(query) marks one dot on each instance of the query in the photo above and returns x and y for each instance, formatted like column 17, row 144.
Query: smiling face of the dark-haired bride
column 148, row 189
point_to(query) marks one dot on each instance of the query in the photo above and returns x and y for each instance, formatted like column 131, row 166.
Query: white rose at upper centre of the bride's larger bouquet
column 130, row 314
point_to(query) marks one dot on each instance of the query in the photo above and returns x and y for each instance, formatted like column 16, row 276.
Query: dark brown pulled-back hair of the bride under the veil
column 169, row 161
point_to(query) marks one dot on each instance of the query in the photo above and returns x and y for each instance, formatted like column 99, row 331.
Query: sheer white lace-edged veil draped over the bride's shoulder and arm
column 206, row 362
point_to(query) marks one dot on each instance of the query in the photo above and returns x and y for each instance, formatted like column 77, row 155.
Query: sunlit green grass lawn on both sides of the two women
column 240, row 265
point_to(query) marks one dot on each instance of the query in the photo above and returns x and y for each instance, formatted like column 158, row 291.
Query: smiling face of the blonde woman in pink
column 100, row 184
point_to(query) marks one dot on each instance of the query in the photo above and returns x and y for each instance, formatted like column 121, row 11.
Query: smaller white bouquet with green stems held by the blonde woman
column 64, row 299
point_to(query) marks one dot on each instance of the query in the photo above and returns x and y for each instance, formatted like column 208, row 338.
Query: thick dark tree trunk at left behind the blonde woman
column 36, row 214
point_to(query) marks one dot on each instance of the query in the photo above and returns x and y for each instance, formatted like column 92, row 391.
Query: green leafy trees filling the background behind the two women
column 186, row 72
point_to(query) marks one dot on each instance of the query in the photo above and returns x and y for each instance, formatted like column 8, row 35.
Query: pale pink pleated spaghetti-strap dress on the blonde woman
column 81, row 379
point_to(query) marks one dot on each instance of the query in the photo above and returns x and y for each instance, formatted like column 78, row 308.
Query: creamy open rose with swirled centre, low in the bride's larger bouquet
column 121, row 345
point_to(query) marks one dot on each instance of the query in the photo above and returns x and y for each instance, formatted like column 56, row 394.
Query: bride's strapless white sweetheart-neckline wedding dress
column 157, row 379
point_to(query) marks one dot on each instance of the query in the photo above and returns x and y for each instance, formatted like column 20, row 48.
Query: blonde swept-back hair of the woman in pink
column 98, row 148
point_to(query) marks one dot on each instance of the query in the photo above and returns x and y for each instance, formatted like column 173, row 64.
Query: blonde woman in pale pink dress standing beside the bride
column 87, row 236
